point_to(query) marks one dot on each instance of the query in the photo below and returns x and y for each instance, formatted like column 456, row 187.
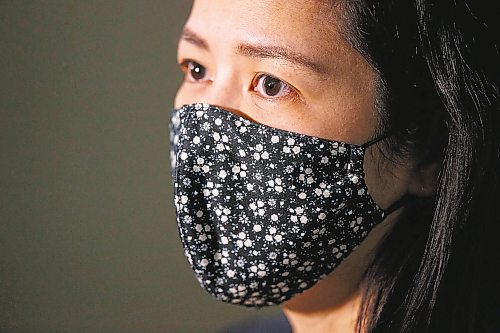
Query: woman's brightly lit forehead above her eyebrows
column 310, row 27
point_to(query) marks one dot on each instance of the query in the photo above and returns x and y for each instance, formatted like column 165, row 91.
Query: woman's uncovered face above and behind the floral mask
column 286, row 65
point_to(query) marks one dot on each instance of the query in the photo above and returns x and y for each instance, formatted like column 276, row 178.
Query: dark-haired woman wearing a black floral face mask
column 344, row 162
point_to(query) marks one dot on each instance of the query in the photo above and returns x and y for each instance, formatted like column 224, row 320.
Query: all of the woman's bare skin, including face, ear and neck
column 328, row 91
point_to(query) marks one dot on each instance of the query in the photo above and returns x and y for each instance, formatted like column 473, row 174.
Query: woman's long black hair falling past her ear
column 439, row 77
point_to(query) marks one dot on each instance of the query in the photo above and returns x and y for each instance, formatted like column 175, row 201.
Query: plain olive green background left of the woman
column 88, row 241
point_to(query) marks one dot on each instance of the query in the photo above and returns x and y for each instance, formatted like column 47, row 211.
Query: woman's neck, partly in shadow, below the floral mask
column 333, row 304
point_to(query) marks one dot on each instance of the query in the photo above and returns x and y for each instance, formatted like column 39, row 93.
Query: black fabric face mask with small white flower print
column 263, row 213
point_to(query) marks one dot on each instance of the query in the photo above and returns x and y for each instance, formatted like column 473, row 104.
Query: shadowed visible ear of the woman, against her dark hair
column 424, row 180
